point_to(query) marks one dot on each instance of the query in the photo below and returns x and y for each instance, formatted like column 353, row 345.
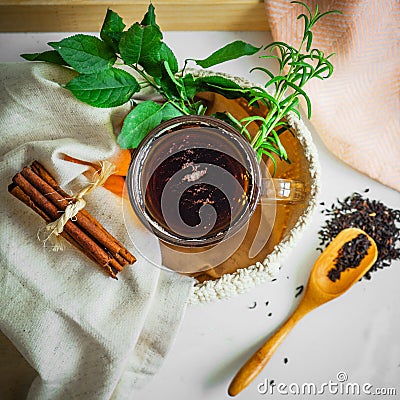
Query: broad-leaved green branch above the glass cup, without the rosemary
column 101, row 82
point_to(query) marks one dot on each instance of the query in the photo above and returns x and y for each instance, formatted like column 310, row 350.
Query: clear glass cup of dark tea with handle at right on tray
column 195, row 180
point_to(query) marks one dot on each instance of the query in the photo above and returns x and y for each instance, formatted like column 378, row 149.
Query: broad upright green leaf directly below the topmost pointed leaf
column 142, row 45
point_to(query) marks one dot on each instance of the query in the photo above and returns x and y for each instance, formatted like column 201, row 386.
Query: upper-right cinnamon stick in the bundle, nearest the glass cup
column 46, row 184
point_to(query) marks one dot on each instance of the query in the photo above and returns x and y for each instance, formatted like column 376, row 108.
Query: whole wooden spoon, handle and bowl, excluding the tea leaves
column 320, row 289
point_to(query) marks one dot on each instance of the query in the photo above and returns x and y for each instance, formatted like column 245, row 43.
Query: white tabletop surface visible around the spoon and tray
column 357, row 334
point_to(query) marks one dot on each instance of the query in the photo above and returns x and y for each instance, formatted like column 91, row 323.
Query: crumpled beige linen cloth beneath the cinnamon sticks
column 86, row 335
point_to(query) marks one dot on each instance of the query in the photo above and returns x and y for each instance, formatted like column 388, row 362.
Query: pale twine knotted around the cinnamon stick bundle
column 56, row 227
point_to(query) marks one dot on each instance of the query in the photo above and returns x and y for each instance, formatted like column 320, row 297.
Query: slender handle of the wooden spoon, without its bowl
column 259, row 359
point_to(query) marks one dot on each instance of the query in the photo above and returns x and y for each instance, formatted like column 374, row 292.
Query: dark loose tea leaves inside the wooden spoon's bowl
column 350, row 256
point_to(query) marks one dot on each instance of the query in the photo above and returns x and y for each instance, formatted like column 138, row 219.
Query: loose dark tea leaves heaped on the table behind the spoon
column 376, row 219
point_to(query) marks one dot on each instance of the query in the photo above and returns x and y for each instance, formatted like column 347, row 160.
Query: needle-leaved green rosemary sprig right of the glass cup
column 296, row 68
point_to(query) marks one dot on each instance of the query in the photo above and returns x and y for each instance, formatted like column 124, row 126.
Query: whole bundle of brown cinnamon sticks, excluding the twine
column 36, row 188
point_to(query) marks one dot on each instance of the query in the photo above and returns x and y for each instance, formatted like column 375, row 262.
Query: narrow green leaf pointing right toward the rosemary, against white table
column 229, row 52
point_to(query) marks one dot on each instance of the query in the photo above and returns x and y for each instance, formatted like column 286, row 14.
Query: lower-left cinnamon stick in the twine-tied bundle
column 90, row 247
